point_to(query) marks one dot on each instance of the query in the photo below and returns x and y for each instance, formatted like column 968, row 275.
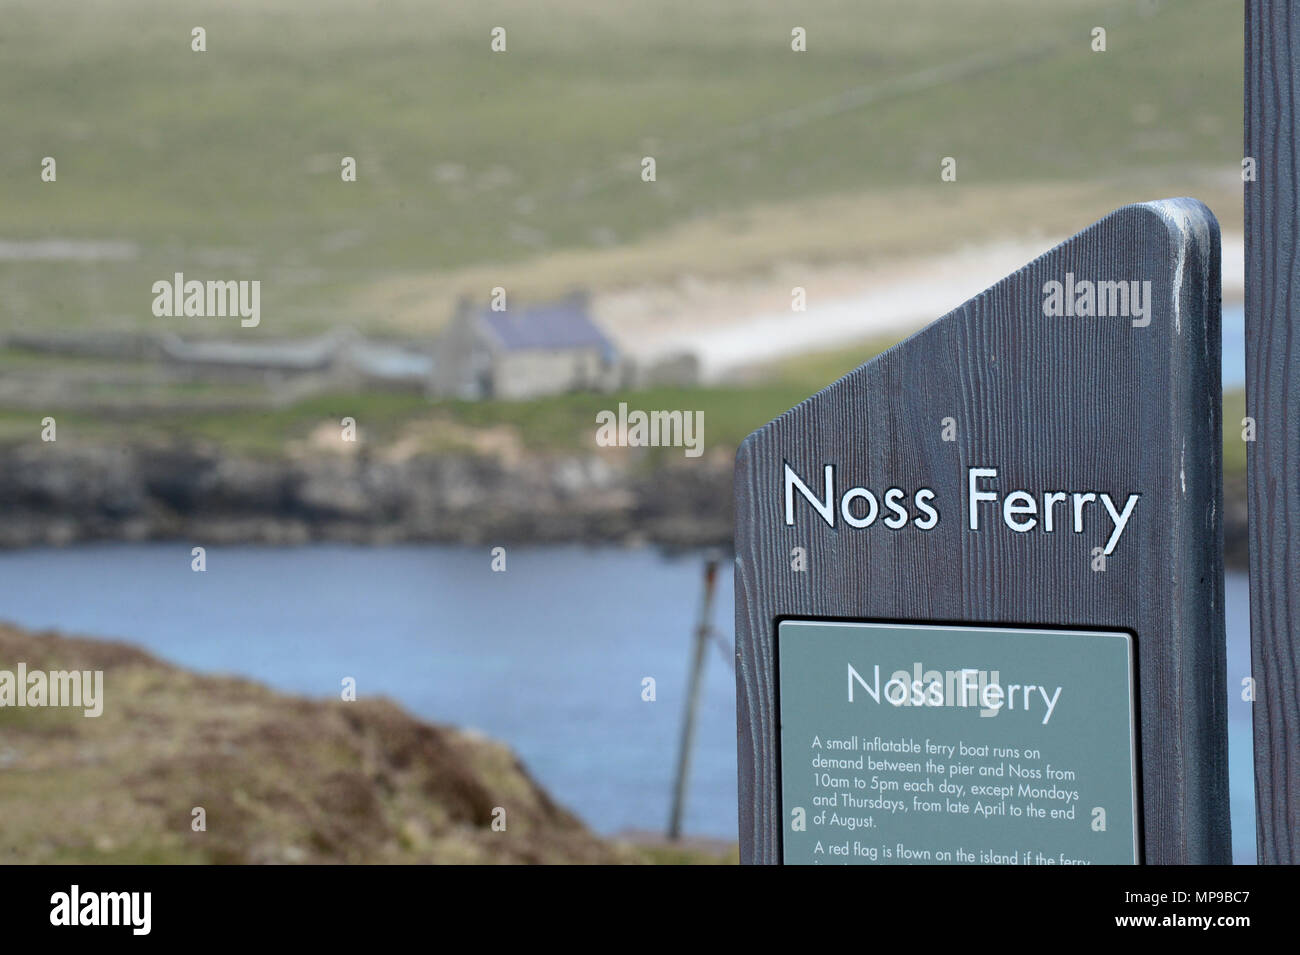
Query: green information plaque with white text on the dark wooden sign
column 978, row 745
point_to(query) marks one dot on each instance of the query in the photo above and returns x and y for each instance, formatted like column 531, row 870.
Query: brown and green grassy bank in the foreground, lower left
column 281, row 779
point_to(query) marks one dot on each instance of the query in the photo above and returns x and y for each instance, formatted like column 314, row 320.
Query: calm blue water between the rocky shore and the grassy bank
column 548, row 657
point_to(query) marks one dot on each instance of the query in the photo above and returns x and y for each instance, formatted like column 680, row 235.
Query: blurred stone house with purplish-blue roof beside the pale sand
column 526, row 353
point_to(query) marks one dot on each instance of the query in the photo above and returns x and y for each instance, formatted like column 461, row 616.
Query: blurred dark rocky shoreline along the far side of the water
column 68, row 494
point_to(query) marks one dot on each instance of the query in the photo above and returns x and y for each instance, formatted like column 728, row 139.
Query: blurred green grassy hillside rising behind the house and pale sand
column 523, row 168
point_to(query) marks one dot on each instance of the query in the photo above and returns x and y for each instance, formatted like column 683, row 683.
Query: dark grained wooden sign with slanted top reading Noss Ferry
column 1038, row 413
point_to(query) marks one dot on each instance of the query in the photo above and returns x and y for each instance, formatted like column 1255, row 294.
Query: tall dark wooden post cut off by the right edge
column 1273, row 405
